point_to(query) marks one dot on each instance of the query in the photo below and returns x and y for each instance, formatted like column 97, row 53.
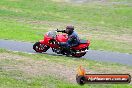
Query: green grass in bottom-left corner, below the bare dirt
column 9, row 81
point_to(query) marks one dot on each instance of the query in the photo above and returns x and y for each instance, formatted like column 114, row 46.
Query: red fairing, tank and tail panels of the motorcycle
column 62, row 38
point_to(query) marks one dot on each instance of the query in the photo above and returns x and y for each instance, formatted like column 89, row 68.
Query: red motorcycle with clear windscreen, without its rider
column 52, row 40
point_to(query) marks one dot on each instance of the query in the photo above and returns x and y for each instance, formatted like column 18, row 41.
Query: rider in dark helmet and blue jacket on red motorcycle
column 73, row 39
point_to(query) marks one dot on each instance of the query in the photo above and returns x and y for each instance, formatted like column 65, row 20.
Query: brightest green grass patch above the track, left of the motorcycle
column 10, row 29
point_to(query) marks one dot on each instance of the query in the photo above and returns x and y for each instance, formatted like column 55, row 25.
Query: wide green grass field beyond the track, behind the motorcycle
column 17, row 17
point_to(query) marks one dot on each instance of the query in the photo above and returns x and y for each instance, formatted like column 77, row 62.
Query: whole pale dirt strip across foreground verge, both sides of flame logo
column 44, row 67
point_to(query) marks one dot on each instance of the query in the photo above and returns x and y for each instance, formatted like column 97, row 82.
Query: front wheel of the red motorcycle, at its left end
column 38, row 47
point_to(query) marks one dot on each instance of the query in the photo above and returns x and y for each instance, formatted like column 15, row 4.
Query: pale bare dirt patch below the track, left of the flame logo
column 37, row 68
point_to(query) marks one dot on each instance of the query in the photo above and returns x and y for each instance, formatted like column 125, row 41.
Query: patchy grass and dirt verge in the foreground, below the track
column 40, row 70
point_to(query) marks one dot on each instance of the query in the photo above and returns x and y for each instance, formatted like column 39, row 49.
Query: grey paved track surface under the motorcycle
column 104, row 56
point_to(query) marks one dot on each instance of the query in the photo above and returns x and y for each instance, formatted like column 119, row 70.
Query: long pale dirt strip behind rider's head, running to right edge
column 84, row 31
